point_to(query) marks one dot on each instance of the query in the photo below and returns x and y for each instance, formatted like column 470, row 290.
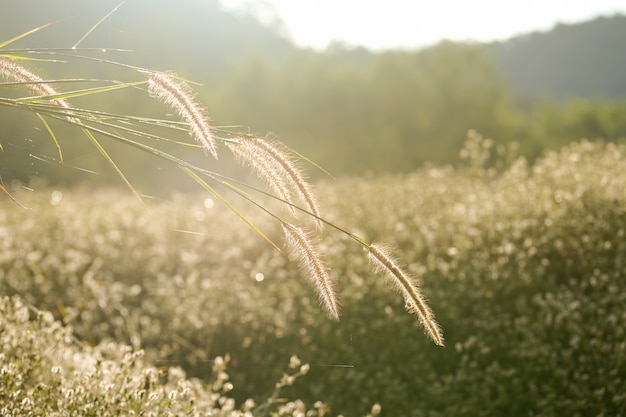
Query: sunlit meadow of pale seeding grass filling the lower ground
column 525, row 265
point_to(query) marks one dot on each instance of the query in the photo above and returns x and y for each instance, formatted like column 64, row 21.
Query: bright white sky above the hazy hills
column 385, row 24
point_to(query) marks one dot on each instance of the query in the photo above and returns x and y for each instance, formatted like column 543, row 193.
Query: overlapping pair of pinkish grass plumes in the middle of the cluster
column 274, row 163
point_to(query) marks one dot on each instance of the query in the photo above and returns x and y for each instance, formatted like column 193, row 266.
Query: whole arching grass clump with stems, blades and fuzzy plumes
column 270, row 160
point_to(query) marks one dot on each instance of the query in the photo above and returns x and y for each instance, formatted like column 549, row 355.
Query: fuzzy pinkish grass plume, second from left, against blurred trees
column 178, row 96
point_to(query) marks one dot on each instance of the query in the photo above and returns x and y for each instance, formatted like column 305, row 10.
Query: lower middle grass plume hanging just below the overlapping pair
column 304, row 247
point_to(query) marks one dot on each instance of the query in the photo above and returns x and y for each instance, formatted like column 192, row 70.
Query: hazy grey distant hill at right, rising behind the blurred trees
column 583, row 60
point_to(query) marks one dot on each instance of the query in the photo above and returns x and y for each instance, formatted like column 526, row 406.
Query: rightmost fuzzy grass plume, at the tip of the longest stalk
column 416, row 303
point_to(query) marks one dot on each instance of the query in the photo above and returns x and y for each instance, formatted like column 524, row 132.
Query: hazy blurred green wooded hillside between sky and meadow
column 348, row 109
